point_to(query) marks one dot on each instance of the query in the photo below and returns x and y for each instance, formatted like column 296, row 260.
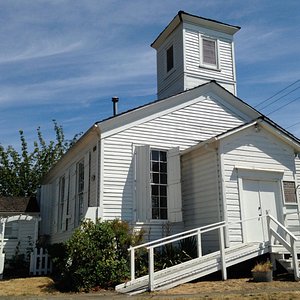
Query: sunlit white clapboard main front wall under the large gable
column 184, row 127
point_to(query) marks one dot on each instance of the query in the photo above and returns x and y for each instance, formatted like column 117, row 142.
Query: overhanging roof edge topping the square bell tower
column 186, row 17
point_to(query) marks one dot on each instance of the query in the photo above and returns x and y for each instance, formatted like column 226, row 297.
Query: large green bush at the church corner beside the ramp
column 96, row 255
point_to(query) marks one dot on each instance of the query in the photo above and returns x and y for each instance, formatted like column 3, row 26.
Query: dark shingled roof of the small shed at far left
column 18, row 205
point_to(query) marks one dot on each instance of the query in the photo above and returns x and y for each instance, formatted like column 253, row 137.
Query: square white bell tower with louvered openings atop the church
column 192, row 51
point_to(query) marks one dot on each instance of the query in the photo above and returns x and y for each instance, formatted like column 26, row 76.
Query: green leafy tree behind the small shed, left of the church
column 21, row 172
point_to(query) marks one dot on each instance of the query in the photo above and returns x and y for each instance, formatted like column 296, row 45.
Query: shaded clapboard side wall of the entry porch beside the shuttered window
column 200, row 193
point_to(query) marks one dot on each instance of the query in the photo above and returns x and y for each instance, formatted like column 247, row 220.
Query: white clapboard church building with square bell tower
column 198, row 155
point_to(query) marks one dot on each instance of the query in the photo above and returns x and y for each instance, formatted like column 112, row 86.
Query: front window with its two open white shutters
column 158, row 184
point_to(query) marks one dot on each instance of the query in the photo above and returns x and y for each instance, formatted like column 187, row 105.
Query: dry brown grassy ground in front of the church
column 245, row 288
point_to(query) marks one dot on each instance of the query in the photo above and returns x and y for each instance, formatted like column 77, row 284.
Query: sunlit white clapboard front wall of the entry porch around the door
column 251, row 149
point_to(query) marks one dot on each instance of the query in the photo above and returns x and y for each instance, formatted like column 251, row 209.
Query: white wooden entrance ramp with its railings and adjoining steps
column 281, row 244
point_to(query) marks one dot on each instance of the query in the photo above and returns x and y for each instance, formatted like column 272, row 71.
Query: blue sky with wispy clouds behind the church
column 65, row 59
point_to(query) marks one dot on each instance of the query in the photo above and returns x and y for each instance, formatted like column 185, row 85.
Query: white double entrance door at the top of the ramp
column 259, row 196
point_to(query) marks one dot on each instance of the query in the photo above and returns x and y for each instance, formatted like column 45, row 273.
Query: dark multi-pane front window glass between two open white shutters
column 158, row 172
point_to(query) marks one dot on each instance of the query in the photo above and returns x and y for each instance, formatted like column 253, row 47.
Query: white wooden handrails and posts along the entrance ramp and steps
column 220, row 227
